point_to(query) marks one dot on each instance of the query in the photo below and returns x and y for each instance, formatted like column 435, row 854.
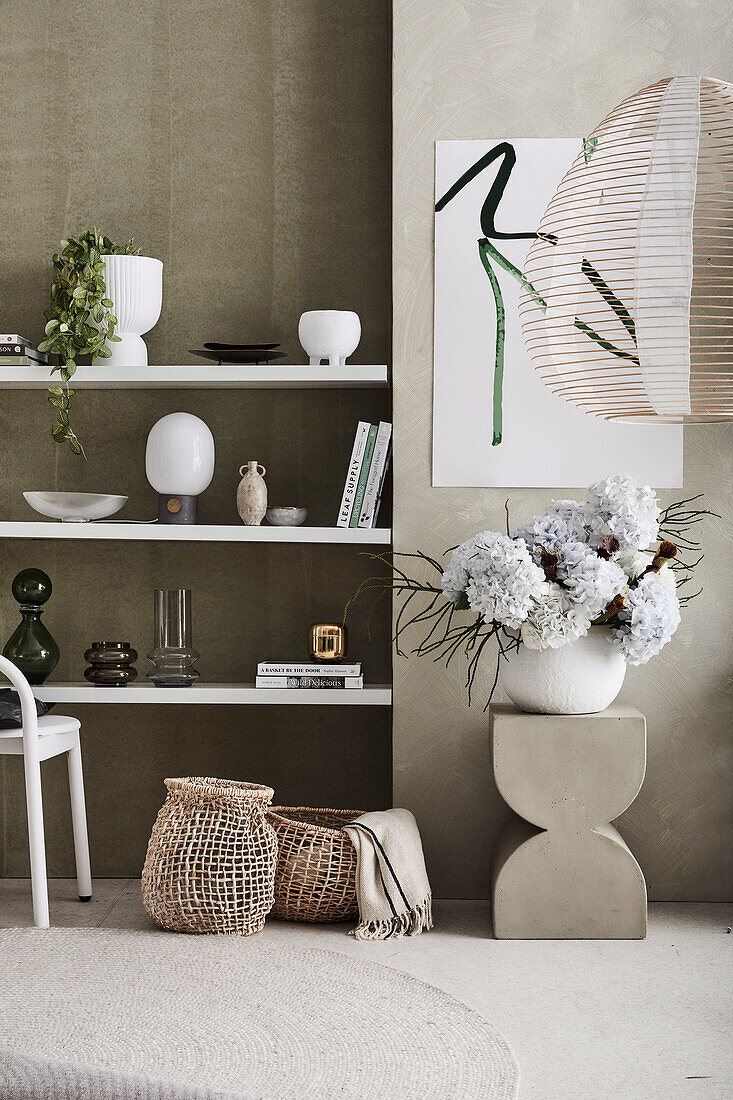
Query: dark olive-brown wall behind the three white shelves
column 246, row 145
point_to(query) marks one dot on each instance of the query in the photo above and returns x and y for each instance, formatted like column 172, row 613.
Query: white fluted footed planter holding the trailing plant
column 135, row 285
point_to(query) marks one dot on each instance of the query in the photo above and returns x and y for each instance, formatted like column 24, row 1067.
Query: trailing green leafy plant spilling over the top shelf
column 80, row 320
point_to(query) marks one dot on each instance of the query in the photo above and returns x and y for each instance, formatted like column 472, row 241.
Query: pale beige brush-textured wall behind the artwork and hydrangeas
column 527, row 69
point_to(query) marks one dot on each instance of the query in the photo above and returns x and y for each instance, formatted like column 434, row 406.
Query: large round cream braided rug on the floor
column 245, row 1017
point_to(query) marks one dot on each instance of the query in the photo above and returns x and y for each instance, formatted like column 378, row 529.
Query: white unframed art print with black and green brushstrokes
column 495, row 422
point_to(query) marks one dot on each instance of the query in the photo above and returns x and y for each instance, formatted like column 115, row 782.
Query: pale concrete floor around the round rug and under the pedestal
column 588, row 1020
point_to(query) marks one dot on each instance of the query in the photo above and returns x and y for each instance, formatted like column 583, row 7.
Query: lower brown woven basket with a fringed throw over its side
column 316, row 877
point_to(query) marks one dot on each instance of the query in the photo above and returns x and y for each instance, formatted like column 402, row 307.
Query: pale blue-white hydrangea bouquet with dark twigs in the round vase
column 607, row 562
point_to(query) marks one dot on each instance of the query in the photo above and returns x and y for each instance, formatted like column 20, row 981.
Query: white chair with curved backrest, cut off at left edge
column 41, row 740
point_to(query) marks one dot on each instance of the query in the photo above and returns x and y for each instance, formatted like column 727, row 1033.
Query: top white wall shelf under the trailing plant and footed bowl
column 200, row 378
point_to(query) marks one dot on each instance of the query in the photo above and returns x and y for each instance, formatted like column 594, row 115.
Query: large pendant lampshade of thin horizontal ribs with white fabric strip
column 628, row 311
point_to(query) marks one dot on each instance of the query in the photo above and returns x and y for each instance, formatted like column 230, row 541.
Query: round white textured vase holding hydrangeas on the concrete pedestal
column 583, row 678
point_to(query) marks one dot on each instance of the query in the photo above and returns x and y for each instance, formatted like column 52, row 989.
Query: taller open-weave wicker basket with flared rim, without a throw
column 211, row 864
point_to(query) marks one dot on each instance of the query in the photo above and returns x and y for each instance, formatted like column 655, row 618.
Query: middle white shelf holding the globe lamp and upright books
column 195, row 533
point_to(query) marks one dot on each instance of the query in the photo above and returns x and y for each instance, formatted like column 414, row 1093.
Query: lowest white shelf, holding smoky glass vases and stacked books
column 212, row 694
